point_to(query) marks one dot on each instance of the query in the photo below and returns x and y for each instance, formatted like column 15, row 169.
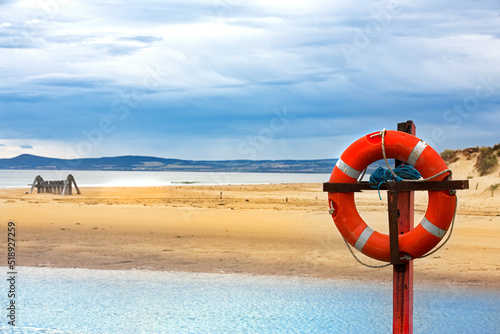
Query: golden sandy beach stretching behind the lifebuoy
column 281, row 229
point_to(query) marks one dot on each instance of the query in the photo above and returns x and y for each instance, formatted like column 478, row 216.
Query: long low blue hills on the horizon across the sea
column 144, row 163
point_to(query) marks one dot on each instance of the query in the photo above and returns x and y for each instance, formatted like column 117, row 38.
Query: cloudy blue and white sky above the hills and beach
column 241, row 79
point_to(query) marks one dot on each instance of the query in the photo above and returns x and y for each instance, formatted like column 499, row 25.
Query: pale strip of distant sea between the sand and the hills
column 21, row 178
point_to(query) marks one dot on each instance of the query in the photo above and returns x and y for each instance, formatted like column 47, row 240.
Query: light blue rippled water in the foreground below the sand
column 101, row 301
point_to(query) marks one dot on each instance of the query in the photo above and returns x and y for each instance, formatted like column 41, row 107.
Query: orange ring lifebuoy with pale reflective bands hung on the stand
column 410, row 149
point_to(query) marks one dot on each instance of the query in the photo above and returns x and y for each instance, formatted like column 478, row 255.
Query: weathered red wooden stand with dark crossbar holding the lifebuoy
column 401, row 210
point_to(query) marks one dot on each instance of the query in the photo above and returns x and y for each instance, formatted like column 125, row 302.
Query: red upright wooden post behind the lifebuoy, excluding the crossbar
column 402, row 319
